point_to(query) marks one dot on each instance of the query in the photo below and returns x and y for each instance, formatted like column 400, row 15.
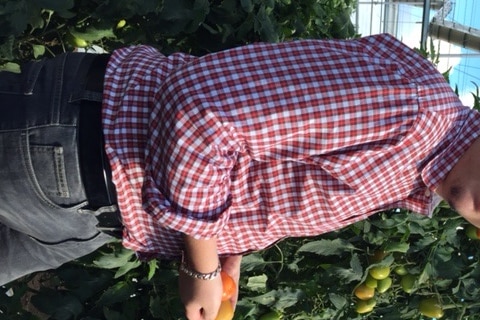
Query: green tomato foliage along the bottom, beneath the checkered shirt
column 311, row 278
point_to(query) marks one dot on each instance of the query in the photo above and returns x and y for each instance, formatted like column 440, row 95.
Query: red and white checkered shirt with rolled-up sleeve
column 268, row 141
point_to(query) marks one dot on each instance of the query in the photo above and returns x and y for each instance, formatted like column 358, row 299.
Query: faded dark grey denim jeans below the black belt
column 43, row 223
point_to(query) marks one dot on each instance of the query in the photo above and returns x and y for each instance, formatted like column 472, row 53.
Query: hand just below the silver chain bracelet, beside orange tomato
column 201, row 298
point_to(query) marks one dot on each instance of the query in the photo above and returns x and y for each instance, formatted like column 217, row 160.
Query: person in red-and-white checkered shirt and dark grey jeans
column 217, row 156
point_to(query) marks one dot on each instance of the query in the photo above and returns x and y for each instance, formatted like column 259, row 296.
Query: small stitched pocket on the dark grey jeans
column 49, row 166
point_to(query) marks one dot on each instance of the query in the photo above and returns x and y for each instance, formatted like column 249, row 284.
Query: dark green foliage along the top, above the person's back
column 30, row 29
